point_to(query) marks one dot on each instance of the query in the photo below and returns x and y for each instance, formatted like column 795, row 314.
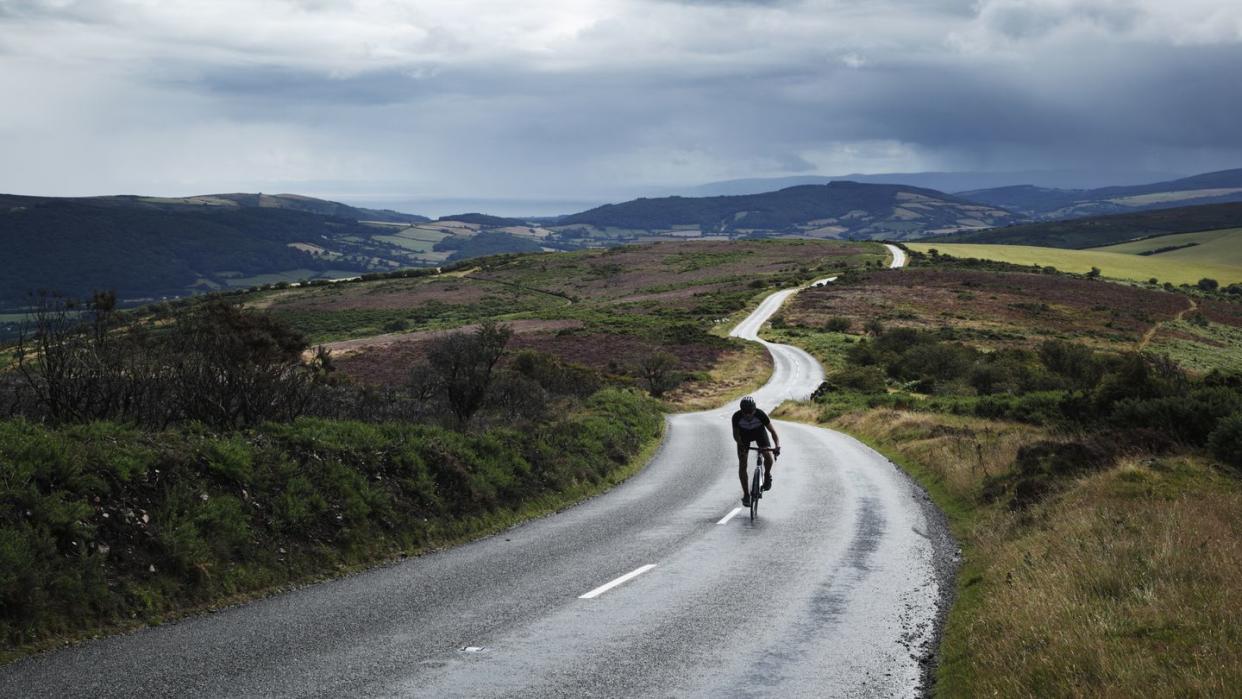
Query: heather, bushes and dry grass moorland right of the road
column 1087, row 459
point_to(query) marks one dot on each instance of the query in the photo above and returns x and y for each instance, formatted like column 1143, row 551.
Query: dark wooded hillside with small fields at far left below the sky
column 153, row 248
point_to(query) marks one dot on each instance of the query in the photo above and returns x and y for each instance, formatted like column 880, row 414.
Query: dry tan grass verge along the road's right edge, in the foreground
column 1121, row 584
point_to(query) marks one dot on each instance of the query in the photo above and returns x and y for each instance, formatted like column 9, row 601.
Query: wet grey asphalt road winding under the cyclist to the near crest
column 661, row 588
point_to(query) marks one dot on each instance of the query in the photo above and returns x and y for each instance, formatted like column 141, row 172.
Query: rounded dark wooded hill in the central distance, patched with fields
column 836, row 210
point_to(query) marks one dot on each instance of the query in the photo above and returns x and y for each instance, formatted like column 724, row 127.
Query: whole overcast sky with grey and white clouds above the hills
column 587, row 100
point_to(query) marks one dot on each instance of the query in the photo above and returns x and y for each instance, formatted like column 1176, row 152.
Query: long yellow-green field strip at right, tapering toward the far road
column 1113, row 265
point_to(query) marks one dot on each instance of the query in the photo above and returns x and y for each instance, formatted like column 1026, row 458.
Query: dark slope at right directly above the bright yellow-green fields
column 1106, row 230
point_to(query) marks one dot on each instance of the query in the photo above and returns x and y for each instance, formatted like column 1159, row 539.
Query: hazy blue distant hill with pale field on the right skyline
column 1049, row 204
